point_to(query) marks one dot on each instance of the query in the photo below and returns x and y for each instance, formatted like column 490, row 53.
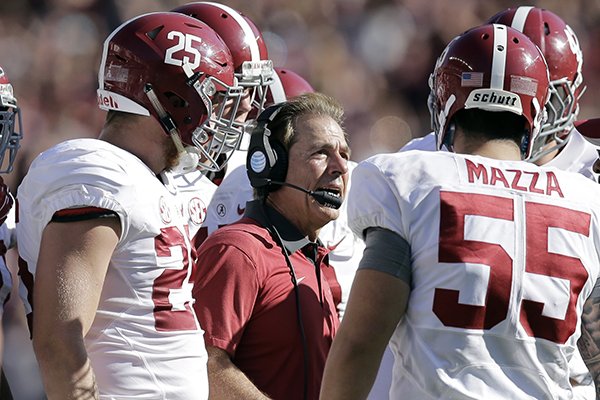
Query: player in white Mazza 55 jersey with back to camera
column 477, row 264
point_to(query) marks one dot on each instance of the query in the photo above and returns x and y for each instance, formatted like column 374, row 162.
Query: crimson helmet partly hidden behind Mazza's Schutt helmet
column 560, row 47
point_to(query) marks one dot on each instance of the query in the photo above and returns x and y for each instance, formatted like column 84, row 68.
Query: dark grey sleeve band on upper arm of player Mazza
column 387, row 252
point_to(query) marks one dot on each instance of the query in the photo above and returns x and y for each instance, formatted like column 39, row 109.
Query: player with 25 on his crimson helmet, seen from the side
column 104, row 231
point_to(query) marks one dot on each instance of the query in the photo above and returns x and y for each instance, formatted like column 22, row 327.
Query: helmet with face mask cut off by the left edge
column 10, row 116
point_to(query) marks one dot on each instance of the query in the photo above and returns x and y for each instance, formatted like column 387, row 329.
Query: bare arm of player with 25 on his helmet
column 73, row 261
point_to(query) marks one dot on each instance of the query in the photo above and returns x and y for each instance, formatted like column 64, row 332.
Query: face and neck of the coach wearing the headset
column 317, row 160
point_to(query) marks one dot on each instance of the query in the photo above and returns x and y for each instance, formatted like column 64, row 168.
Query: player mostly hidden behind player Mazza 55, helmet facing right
column 559, row 144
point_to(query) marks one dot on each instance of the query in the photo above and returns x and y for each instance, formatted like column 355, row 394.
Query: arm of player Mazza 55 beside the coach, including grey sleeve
column 377, row 302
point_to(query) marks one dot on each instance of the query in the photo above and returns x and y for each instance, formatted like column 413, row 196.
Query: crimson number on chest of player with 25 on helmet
column 171, row 291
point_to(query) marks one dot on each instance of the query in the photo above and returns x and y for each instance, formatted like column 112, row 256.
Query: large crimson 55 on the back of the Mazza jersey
column 454, row 248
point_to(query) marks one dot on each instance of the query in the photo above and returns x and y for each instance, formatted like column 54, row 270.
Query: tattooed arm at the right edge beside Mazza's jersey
column 589, row 342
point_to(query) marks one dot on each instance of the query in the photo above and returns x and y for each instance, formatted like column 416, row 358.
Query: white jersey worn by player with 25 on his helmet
column 145, row 341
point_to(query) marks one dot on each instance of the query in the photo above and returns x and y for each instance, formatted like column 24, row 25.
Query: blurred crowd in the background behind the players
column 374, row 56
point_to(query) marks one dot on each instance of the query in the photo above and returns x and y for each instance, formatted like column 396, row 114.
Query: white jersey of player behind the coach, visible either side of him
column 229, row 203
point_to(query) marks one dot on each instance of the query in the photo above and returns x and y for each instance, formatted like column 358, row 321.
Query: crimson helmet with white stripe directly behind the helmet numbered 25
column 253, row 69
